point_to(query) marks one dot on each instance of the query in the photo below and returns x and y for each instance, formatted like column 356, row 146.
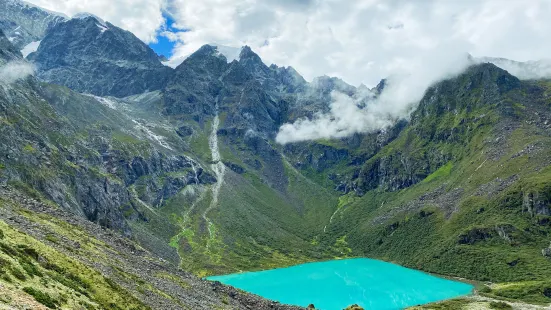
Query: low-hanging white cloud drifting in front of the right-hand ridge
column 402, row 92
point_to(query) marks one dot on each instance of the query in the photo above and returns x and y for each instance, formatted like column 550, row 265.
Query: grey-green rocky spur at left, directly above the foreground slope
column 81, row 154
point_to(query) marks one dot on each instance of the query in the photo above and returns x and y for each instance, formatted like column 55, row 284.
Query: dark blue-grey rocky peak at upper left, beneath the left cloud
column 96, row 57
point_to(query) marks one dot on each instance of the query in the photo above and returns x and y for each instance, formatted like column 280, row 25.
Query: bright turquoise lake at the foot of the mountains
column 334, row 285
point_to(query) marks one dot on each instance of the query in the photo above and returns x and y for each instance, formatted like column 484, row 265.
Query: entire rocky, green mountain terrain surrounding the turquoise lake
column 110, row 161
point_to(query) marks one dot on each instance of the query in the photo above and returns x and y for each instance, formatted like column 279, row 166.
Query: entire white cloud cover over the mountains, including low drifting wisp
column 361, row 41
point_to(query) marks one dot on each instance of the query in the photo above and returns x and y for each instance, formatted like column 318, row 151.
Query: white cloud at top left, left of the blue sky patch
column 141, row 17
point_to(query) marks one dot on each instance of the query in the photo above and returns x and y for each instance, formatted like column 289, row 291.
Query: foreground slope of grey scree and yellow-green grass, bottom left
column 69, row 259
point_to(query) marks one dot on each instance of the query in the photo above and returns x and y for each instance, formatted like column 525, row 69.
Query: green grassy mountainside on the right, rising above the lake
column 480, row 209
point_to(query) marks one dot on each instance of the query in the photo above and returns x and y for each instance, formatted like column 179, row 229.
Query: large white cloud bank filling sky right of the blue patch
column 362, row 41
